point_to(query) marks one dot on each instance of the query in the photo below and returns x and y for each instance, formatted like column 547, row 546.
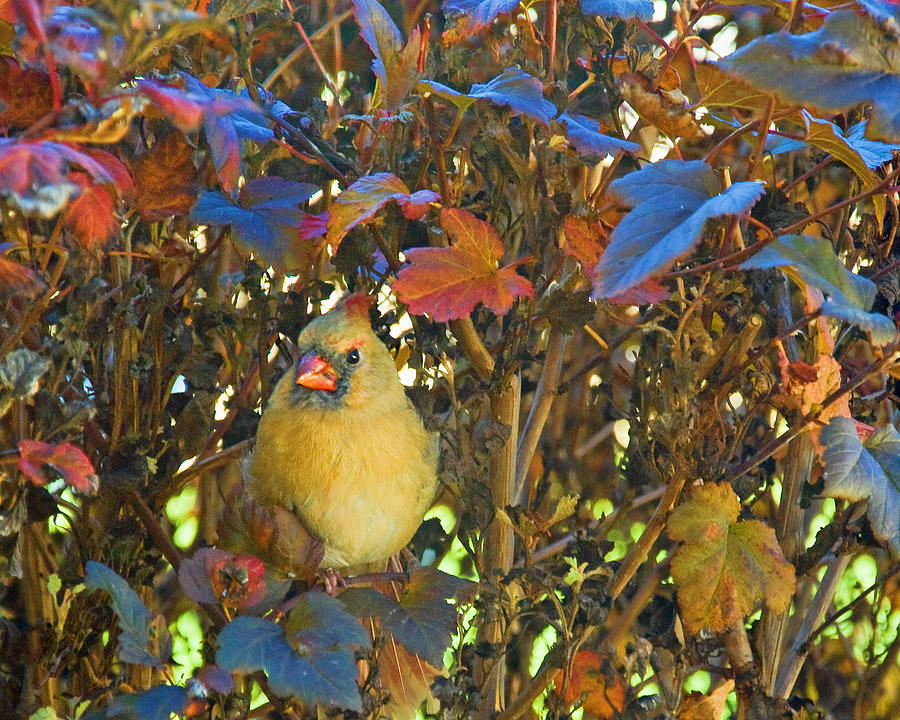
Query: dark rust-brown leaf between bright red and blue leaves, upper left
column 164, row 179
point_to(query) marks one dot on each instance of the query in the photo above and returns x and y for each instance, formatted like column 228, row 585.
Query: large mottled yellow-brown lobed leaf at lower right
column 724, row 567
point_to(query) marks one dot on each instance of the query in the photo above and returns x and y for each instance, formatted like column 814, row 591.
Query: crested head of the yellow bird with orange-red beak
column 342, row 362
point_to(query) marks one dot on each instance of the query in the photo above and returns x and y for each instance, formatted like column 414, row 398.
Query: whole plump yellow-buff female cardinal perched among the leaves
column 341, row 445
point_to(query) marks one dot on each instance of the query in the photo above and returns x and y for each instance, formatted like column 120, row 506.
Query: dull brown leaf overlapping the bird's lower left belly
column 271, row 533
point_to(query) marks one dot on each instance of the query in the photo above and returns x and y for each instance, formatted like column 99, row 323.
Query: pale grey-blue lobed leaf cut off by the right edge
column 871, row 471
